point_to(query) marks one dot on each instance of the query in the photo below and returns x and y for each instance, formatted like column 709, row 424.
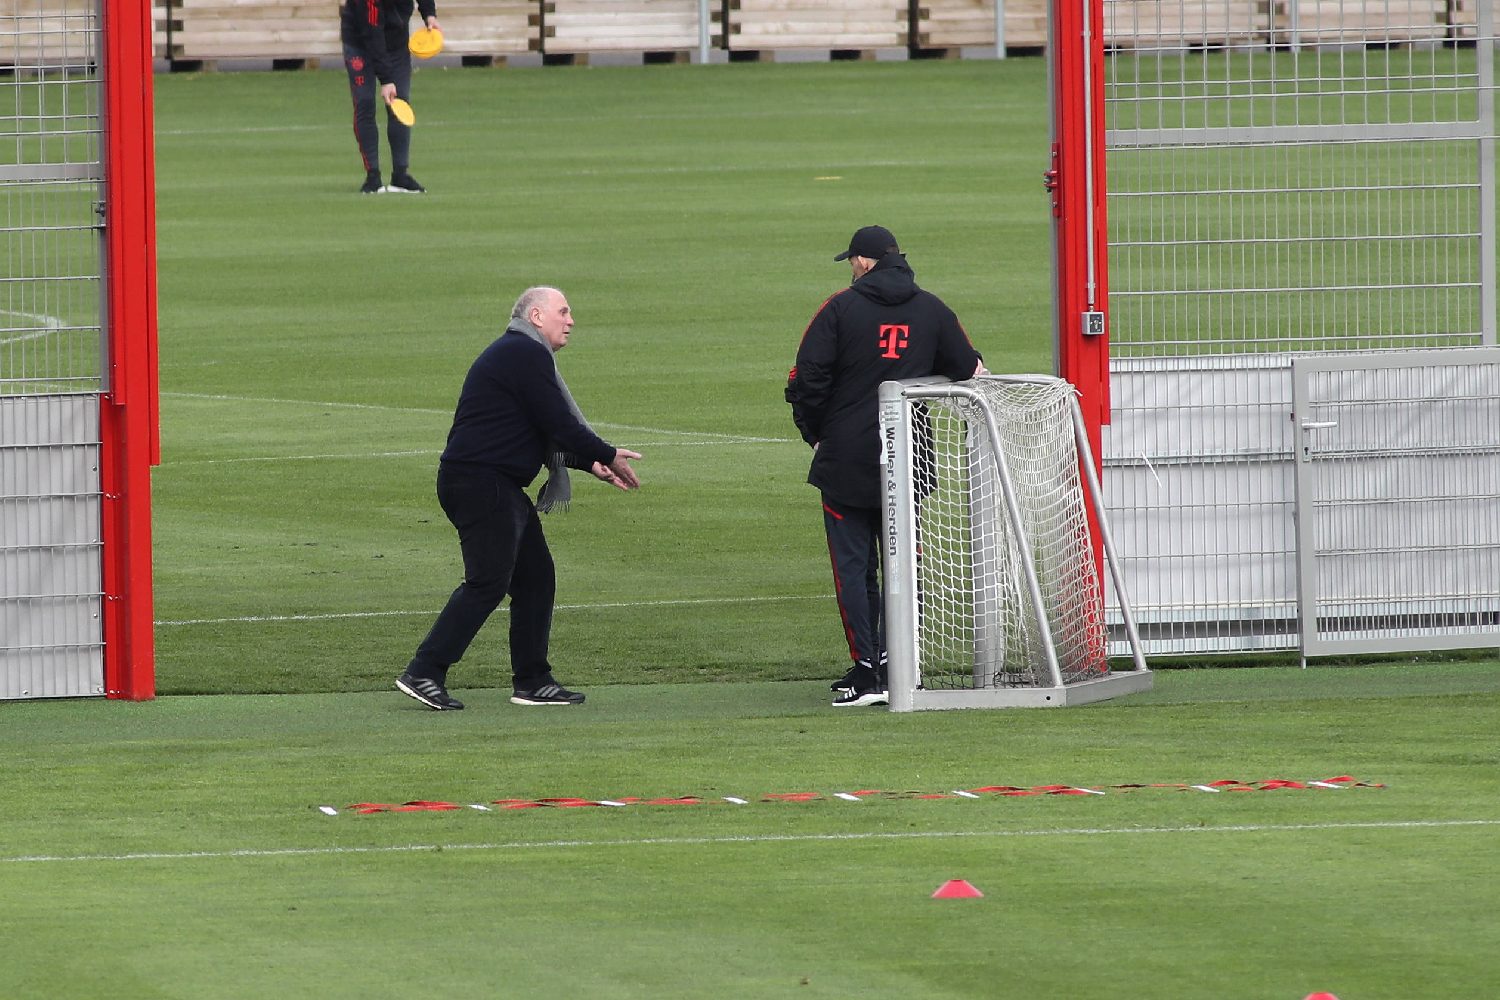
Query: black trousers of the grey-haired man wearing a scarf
column 505, row 552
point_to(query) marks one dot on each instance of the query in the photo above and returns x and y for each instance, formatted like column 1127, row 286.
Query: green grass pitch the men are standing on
column 313, row 346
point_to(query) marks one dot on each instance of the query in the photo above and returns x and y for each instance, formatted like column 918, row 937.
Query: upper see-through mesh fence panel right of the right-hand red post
column 1270, row 196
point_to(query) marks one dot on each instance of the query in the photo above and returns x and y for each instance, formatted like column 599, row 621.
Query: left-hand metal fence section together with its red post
column 79, row 395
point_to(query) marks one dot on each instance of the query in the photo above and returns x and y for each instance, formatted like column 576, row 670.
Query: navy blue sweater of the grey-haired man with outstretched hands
column 511, row 409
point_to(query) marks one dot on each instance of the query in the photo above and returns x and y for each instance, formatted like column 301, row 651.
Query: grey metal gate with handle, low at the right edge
column 1400, row 501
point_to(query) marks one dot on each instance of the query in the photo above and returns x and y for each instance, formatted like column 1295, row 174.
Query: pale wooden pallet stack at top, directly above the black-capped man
column 839, row 26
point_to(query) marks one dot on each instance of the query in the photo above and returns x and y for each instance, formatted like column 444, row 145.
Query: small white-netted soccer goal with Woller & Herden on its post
column 994, row 593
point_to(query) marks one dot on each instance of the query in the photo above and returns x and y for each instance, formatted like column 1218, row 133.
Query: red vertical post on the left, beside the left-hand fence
column 128, row 409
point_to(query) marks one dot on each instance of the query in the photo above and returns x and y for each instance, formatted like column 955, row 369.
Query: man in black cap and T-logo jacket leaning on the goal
column 883, row 328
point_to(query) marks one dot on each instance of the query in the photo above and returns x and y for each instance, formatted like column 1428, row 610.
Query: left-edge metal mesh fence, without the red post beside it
column 52, row 359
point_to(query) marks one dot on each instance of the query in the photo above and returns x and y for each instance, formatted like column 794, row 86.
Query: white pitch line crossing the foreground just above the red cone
column 754, row 840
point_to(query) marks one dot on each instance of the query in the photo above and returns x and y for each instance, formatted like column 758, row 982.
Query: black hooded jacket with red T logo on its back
column 883, row 328
